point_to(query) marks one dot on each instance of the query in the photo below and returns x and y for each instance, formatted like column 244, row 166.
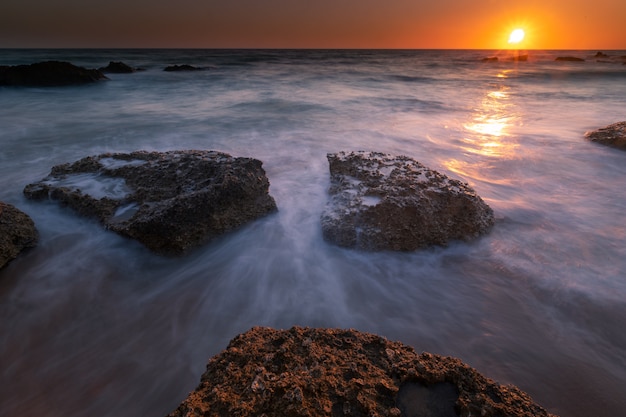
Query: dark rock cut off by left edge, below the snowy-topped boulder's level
column 17, row 233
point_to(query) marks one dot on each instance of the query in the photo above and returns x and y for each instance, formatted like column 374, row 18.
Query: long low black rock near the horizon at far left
column 48, row 74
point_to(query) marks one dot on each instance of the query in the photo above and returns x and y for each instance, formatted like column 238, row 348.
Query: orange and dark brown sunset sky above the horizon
column 425, row 24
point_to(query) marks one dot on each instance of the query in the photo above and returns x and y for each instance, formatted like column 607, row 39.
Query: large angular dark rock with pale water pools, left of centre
column 169, row 201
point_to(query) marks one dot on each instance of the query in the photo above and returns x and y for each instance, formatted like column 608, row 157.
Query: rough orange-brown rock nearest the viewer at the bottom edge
column 332, row 372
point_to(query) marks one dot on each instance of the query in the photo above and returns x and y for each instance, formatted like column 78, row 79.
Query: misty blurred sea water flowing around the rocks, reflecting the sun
column 93, row 324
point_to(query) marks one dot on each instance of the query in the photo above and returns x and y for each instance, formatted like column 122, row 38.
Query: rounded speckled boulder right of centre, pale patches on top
column 380, row 202
